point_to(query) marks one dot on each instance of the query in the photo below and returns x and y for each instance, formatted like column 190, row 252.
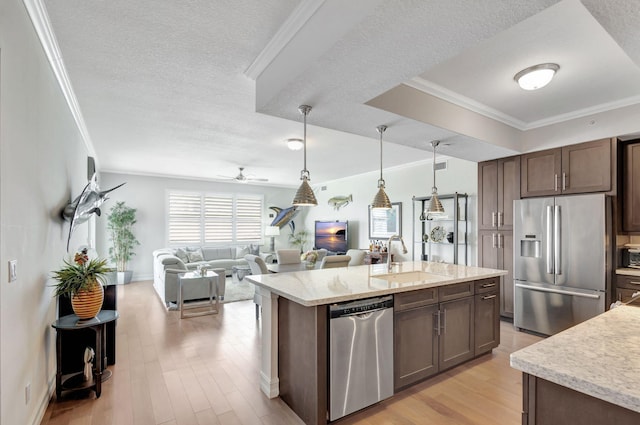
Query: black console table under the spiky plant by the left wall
column 71, row 324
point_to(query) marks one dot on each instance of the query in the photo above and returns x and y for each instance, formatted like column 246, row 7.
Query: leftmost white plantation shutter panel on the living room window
column 184, row 218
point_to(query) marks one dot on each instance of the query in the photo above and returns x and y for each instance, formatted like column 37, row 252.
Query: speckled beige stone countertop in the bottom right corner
column 599, row 357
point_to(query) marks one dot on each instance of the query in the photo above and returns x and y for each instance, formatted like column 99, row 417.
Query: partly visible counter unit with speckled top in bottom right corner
column 587, row 374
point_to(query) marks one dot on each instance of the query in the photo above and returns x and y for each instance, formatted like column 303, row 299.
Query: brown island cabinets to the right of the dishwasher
column 435, row 329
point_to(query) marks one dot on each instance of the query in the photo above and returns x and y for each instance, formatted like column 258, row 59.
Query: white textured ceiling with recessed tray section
column 197, row 89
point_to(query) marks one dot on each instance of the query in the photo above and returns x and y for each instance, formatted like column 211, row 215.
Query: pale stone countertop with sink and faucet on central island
column 328, row 286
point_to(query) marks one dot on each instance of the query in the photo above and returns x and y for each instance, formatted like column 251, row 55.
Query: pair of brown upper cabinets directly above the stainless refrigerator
column 582, row 168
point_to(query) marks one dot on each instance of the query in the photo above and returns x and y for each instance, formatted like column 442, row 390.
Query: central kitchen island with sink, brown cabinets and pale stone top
column 295, row 323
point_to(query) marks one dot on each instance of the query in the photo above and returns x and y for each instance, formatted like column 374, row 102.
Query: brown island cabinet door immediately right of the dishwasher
column 416, row 345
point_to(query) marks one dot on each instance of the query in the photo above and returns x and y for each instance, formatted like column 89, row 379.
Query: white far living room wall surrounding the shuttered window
column 148, row 196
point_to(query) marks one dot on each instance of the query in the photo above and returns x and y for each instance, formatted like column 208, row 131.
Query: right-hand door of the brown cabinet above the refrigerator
column 586, row 167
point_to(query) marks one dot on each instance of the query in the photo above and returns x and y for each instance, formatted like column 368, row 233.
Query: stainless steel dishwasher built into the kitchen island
column 360, row 354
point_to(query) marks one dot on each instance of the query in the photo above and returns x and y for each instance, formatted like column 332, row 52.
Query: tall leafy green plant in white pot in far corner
column 120, row 225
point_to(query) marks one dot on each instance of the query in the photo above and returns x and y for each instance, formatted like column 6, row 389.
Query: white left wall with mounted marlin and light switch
column 43, row 166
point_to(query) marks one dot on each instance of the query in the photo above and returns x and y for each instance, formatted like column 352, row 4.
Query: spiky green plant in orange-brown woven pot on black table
column 82, row 281
